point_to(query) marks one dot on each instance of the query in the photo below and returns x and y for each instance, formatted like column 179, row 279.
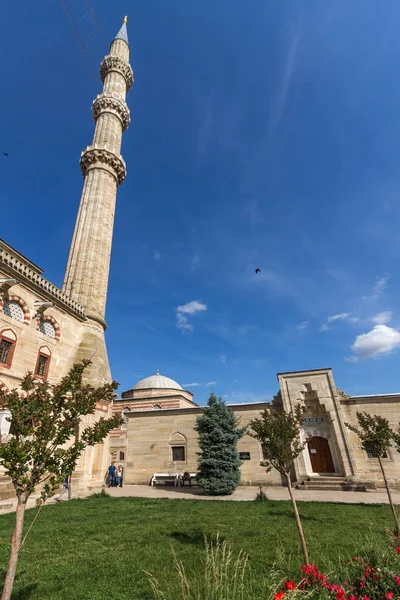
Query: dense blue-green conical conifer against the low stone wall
column 219, row 464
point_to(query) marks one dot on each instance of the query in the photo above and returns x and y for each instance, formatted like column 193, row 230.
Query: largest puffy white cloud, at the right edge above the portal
column 380, row 340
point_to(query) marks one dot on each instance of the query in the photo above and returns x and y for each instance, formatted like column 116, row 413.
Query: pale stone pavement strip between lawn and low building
column 243, row 493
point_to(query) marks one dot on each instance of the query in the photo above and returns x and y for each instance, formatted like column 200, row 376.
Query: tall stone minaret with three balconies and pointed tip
column 103, row 168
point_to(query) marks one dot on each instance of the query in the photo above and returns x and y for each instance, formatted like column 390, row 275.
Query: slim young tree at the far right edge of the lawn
column 376, row 435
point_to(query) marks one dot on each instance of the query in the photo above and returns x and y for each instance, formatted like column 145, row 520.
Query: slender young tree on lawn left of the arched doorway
column 279, row 435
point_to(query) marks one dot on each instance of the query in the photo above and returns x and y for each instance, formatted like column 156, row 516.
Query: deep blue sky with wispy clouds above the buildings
column 263, row 134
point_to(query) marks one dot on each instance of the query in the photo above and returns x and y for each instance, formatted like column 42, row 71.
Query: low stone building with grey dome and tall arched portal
column 159, row 436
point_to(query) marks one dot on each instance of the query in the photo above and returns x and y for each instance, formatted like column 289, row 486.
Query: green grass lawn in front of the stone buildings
column 99, row 548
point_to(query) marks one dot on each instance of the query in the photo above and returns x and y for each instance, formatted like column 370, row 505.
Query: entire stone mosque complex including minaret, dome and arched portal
column 46, row 330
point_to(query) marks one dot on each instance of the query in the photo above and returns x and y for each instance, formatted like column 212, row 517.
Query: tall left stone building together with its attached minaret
column 45, row 329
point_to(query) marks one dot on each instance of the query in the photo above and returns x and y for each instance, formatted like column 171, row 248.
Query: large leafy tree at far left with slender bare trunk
column 44, row 420
